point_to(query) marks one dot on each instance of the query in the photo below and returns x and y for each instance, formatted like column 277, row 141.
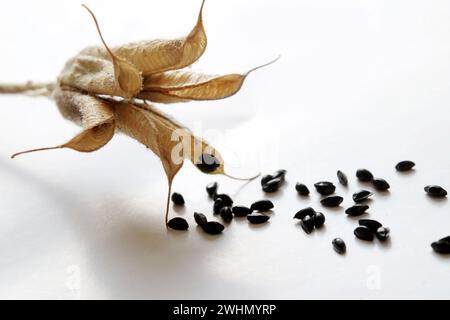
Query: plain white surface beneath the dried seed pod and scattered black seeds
column 360, row 84
